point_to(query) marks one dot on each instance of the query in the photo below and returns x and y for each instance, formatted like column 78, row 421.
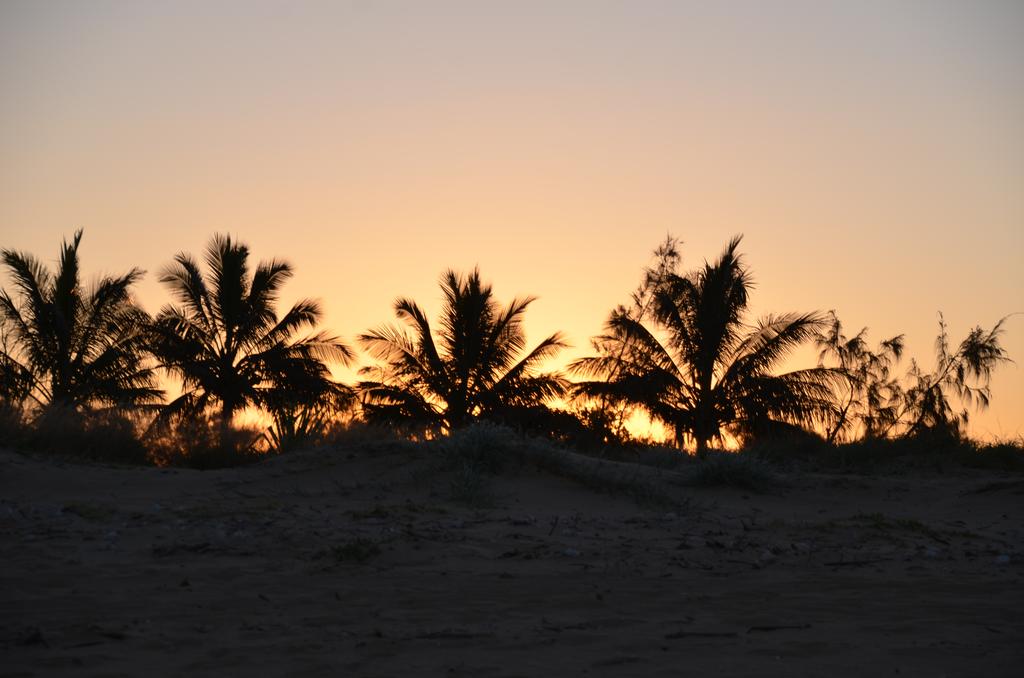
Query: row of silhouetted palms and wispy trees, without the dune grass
column 684, row 352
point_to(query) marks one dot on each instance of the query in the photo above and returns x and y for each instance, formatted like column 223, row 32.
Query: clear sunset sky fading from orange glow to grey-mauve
column 872, row 153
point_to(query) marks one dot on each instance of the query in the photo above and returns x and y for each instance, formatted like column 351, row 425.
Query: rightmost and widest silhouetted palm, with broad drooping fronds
column 709, row 374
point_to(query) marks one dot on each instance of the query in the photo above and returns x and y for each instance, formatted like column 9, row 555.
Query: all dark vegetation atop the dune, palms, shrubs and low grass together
column 78, row 377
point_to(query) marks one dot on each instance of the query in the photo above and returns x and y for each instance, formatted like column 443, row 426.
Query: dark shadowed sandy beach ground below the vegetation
column 359, row 564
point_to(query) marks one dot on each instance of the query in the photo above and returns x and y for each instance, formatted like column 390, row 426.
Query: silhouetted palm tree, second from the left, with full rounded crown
column 227, row 344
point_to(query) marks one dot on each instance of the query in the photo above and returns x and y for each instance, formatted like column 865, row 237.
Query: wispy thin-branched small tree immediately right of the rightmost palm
column 870, row 396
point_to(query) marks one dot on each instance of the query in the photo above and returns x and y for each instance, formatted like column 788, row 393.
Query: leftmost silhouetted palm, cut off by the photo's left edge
column 70, row 348
